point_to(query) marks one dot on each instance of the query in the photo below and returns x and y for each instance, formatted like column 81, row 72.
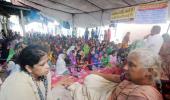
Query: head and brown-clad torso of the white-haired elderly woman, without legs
column 143, row 72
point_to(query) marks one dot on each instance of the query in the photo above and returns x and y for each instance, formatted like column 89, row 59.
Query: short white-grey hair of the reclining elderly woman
column 149, row 60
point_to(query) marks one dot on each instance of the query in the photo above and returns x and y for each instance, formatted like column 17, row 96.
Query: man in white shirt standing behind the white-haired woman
column 154, row 40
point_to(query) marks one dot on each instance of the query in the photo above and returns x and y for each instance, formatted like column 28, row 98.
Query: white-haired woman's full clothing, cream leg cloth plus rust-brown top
column 108, row 90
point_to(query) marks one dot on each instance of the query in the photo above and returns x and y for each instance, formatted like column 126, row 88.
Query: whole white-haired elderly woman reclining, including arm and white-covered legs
column 142, row 74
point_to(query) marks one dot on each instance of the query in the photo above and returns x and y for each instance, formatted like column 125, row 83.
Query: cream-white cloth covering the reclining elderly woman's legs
column 90, row 91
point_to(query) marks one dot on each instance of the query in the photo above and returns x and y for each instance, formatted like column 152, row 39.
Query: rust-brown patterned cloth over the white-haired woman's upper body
column 127, row 90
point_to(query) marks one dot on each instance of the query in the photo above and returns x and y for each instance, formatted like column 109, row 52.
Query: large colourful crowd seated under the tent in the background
column 83, row 52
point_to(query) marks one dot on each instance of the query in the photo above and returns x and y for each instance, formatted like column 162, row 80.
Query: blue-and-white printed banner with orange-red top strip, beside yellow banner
column 152, row 13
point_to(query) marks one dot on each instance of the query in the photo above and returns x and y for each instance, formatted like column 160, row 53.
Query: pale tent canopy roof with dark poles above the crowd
column 83, row 13
